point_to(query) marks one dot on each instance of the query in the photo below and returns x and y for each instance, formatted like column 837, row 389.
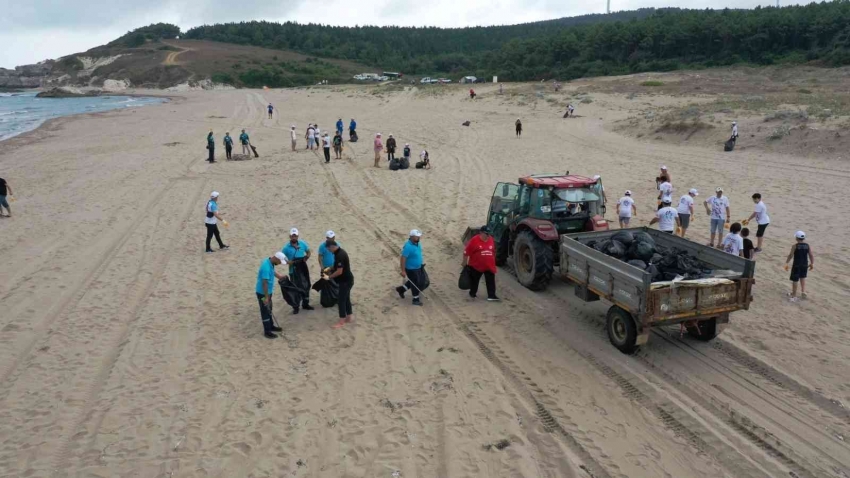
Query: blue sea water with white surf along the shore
column 22, row 112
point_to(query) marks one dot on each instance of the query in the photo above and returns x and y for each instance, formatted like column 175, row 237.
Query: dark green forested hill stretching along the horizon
column 625, row 42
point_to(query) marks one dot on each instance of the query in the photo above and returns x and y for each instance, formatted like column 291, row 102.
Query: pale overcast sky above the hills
column 35, row 30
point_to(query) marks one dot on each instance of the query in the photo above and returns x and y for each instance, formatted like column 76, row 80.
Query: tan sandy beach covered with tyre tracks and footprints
column 126, row 351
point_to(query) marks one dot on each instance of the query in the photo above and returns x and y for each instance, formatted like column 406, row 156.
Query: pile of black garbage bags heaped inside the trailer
column 638, row 249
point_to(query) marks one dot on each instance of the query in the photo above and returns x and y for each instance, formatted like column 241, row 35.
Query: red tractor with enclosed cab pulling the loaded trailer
column 527, row 220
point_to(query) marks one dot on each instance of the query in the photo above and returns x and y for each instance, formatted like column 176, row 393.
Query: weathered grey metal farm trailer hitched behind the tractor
column 702, row 306
